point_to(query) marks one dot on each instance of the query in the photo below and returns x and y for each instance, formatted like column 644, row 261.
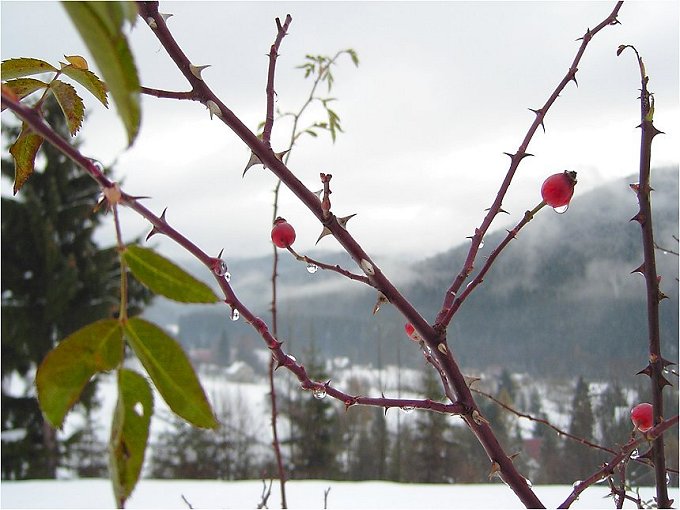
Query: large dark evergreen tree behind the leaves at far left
column 55, row 280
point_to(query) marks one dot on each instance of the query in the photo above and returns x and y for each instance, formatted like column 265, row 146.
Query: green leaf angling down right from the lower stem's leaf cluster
column 170, row 370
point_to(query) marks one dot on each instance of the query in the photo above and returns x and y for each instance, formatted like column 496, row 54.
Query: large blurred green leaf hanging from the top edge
column 100, row 25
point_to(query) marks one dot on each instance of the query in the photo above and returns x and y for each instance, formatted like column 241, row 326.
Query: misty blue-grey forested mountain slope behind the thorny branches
column 561, row 297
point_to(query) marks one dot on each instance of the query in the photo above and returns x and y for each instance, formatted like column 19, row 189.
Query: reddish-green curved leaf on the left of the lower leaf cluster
column 68, row 367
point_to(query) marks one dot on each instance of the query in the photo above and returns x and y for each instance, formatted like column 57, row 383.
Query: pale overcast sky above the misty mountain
column 442, row 90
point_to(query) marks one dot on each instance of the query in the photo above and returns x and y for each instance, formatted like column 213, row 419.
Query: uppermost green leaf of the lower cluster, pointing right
column 165, row 278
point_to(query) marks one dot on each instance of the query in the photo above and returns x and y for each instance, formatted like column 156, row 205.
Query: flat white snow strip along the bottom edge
column 74, row 494
